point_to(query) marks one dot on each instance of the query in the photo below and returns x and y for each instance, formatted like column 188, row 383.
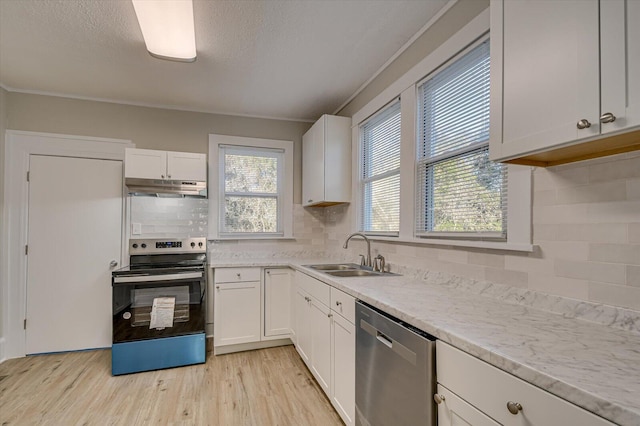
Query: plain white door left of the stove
column 75, row 232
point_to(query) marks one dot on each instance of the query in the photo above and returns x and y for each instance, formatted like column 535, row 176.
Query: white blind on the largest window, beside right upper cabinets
column 460, row 192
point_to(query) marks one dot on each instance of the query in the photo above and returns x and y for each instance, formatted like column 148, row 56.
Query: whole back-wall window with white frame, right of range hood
column 251, row 183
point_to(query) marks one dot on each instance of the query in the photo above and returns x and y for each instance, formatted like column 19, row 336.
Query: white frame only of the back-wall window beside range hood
column 217, row 190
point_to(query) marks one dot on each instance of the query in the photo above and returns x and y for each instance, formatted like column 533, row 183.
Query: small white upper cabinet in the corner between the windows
column 326, row 162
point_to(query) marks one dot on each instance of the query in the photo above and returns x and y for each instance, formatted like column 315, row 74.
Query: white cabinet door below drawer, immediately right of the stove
column 236, row 313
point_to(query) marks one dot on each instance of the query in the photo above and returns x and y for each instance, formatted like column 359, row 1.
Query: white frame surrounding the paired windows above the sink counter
column 519, row 199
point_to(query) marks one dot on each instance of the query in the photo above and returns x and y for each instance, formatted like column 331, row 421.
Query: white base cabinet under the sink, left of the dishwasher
column 325, row 339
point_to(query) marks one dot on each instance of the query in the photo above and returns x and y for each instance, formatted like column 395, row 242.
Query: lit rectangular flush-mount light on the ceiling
column 167, row 28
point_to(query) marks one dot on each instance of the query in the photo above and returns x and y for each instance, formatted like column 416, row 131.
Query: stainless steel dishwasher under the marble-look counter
column 395, row 371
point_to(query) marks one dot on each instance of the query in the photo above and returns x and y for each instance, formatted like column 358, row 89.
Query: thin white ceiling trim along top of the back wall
column 149, row 105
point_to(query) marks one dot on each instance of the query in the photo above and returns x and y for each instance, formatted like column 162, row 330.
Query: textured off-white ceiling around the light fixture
column 281, row 59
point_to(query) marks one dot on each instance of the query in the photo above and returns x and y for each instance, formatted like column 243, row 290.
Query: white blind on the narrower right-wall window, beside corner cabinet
column 380, row 172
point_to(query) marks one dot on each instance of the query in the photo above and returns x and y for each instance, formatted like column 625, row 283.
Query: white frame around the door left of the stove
column 19, row 145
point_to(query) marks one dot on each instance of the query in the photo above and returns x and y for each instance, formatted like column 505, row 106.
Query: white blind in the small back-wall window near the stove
column 251, row 190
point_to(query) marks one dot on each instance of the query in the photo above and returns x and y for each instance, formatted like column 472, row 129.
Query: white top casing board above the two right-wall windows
column 456, row 43
